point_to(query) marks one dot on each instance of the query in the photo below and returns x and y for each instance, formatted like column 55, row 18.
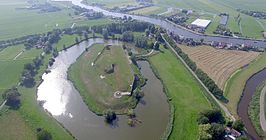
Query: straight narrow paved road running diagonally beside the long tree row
column 228, row 114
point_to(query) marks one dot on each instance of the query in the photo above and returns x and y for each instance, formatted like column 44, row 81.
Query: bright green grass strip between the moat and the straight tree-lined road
column 186, row 94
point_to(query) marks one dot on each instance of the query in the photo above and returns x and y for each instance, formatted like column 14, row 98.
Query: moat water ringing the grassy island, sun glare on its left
column 64, row 102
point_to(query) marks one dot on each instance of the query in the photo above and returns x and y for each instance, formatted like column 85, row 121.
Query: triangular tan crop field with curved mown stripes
column 219, row 64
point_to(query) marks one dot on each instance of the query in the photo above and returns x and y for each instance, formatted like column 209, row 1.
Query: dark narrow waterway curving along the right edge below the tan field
column 248, row 92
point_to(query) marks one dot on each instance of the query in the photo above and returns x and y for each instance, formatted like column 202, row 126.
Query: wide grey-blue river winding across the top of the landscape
column 173, row 28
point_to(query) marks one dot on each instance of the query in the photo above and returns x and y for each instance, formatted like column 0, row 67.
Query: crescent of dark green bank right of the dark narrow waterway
column 254, row 109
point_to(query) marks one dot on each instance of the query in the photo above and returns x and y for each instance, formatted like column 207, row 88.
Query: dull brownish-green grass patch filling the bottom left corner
column 13, row 127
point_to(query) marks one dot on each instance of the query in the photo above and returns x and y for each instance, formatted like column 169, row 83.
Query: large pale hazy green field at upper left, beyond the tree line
column 16, row 23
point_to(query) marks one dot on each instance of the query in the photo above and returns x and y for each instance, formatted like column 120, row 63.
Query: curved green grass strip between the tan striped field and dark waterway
column 236, row 83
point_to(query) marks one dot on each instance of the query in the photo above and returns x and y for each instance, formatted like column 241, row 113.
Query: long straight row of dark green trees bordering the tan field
column 208, row 82
